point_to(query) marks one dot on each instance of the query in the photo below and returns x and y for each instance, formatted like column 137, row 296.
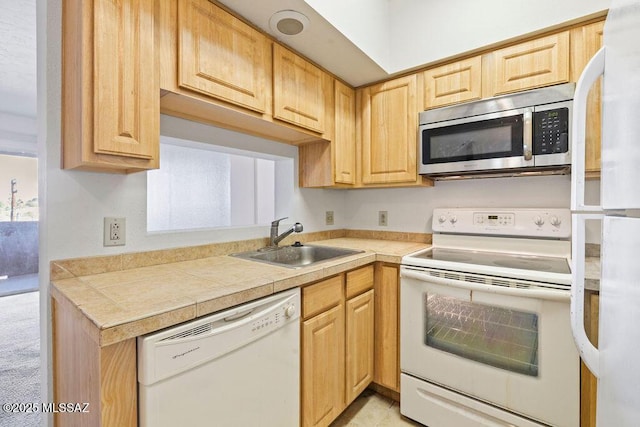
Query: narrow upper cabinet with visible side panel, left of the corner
column 333, row 163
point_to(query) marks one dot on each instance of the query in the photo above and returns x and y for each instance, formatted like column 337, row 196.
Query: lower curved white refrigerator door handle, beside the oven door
column 588, row 352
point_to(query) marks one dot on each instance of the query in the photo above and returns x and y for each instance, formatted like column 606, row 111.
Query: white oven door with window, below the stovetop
column 506, row 346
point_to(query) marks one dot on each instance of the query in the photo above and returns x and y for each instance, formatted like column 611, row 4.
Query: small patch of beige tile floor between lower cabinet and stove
column 373, row 410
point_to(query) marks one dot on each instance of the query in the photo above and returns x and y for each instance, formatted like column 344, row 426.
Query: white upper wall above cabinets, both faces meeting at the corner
column 404, row 34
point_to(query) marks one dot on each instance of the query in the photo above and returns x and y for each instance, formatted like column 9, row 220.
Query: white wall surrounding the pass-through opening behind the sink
column 78, row 201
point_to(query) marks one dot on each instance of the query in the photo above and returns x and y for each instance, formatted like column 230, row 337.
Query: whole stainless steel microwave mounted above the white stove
column 522, row 132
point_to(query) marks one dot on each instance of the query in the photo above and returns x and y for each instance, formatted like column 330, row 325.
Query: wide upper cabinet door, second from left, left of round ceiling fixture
column 221, row 56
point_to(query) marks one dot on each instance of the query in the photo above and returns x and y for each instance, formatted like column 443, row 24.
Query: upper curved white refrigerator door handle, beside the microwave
column 591, row 73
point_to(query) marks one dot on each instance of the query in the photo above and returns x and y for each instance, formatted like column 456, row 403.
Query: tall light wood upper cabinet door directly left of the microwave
column 389, row 131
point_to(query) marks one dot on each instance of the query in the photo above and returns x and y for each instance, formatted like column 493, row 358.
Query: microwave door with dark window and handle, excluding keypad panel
column 500, row 140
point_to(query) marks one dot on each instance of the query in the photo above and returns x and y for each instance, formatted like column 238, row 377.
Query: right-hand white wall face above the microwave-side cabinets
column 424, row 31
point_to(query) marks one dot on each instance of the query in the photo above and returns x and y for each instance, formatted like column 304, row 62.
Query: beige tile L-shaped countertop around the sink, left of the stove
column 122, row 304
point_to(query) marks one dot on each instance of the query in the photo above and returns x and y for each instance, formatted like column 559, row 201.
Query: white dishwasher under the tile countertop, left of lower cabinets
column 238, row 367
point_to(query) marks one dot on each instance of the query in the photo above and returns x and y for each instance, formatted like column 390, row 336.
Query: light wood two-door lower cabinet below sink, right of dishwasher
column 337, row 344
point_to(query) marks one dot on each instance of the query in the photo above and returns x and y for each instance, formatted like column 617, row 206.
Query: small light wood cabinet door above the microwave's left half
column 453, row 83
